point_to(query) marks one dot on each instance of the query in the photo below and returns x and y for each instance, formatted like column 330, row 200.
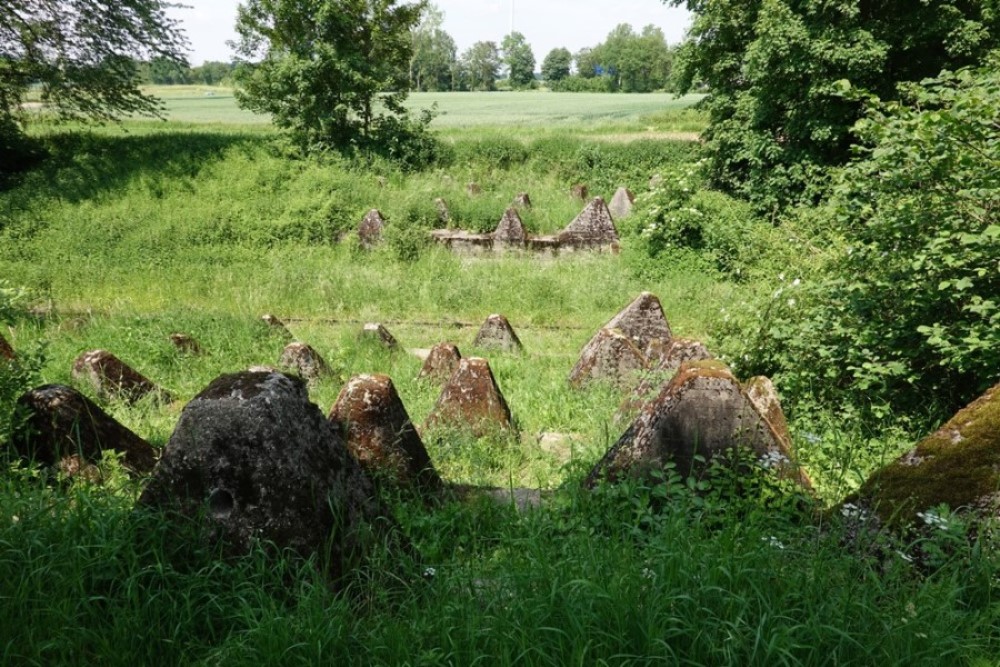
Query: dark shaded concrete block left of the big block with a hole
column 68, row 431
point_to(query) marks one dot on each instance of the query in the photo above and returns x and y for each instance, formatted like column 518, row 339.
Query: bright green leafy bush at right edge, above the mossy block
column 907, row 312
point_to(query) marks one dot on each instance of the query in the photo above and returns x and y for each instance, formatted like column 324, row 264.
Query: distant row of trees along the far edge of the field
column 627, row 61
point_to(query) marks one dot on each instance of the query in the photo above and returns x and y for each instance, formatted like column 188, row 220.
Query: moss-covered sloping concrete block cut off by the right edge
column 958, row 465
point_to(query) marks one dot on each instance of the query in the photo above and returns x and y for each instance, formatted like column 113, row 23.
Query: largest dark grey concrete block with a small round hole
column 253, row 461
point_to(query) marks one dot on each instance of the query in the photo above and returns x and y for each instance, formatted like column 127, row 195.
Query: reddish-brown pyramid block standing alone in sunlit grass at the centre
column 471, row 400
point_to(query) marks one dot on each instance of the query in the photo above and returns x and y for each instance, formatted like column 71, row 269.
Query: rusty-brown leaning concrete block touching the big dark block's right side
column 373, row 420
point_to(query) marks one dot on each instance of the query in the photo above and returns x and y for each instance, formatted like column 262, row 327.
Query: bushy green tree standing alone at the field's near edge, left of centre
column 332, row 72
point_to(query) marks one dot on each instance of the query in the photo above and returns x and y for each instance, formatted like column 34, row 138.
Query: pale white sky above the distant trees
column 546, row 24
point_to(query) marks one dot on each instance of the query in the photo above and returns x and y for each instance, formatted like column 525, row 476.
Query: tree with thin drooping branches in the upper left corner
column 84, row 54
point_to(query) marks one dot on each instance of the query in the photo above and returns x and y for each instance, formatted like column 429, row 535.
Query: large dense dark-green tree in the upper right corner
column 778, row 116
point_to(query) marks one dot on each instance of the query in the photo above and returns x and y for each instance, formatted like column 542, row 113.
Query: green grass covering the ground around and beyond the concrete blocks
column 203, row 223
